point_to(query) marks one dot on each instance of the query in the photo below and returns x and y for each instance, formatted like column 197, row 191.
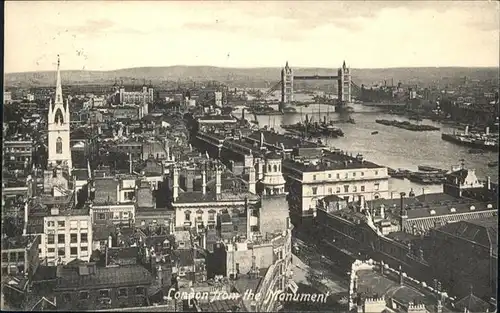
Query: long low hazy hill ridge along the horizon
column 241, row 76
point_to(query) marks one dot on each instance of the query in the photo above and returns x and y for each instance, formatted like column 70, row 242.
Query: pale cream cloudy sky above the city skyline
column 93, row 35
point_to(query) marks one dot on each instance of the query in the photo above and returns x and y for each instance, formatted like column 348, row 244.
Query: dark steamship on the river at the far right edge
column 484, row 141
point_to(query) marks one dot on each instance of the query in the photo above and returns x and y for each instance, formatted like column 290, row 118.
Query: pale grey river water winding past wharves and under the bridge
column 392, row 147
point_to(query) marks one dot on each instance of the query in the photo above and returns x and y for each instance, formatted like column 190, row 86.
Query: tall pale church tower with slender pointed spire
column 59, row 150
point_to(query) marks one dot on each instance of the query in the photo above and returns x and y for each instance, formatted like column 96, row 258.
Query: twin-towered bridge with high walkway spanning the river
column 343, row 80
